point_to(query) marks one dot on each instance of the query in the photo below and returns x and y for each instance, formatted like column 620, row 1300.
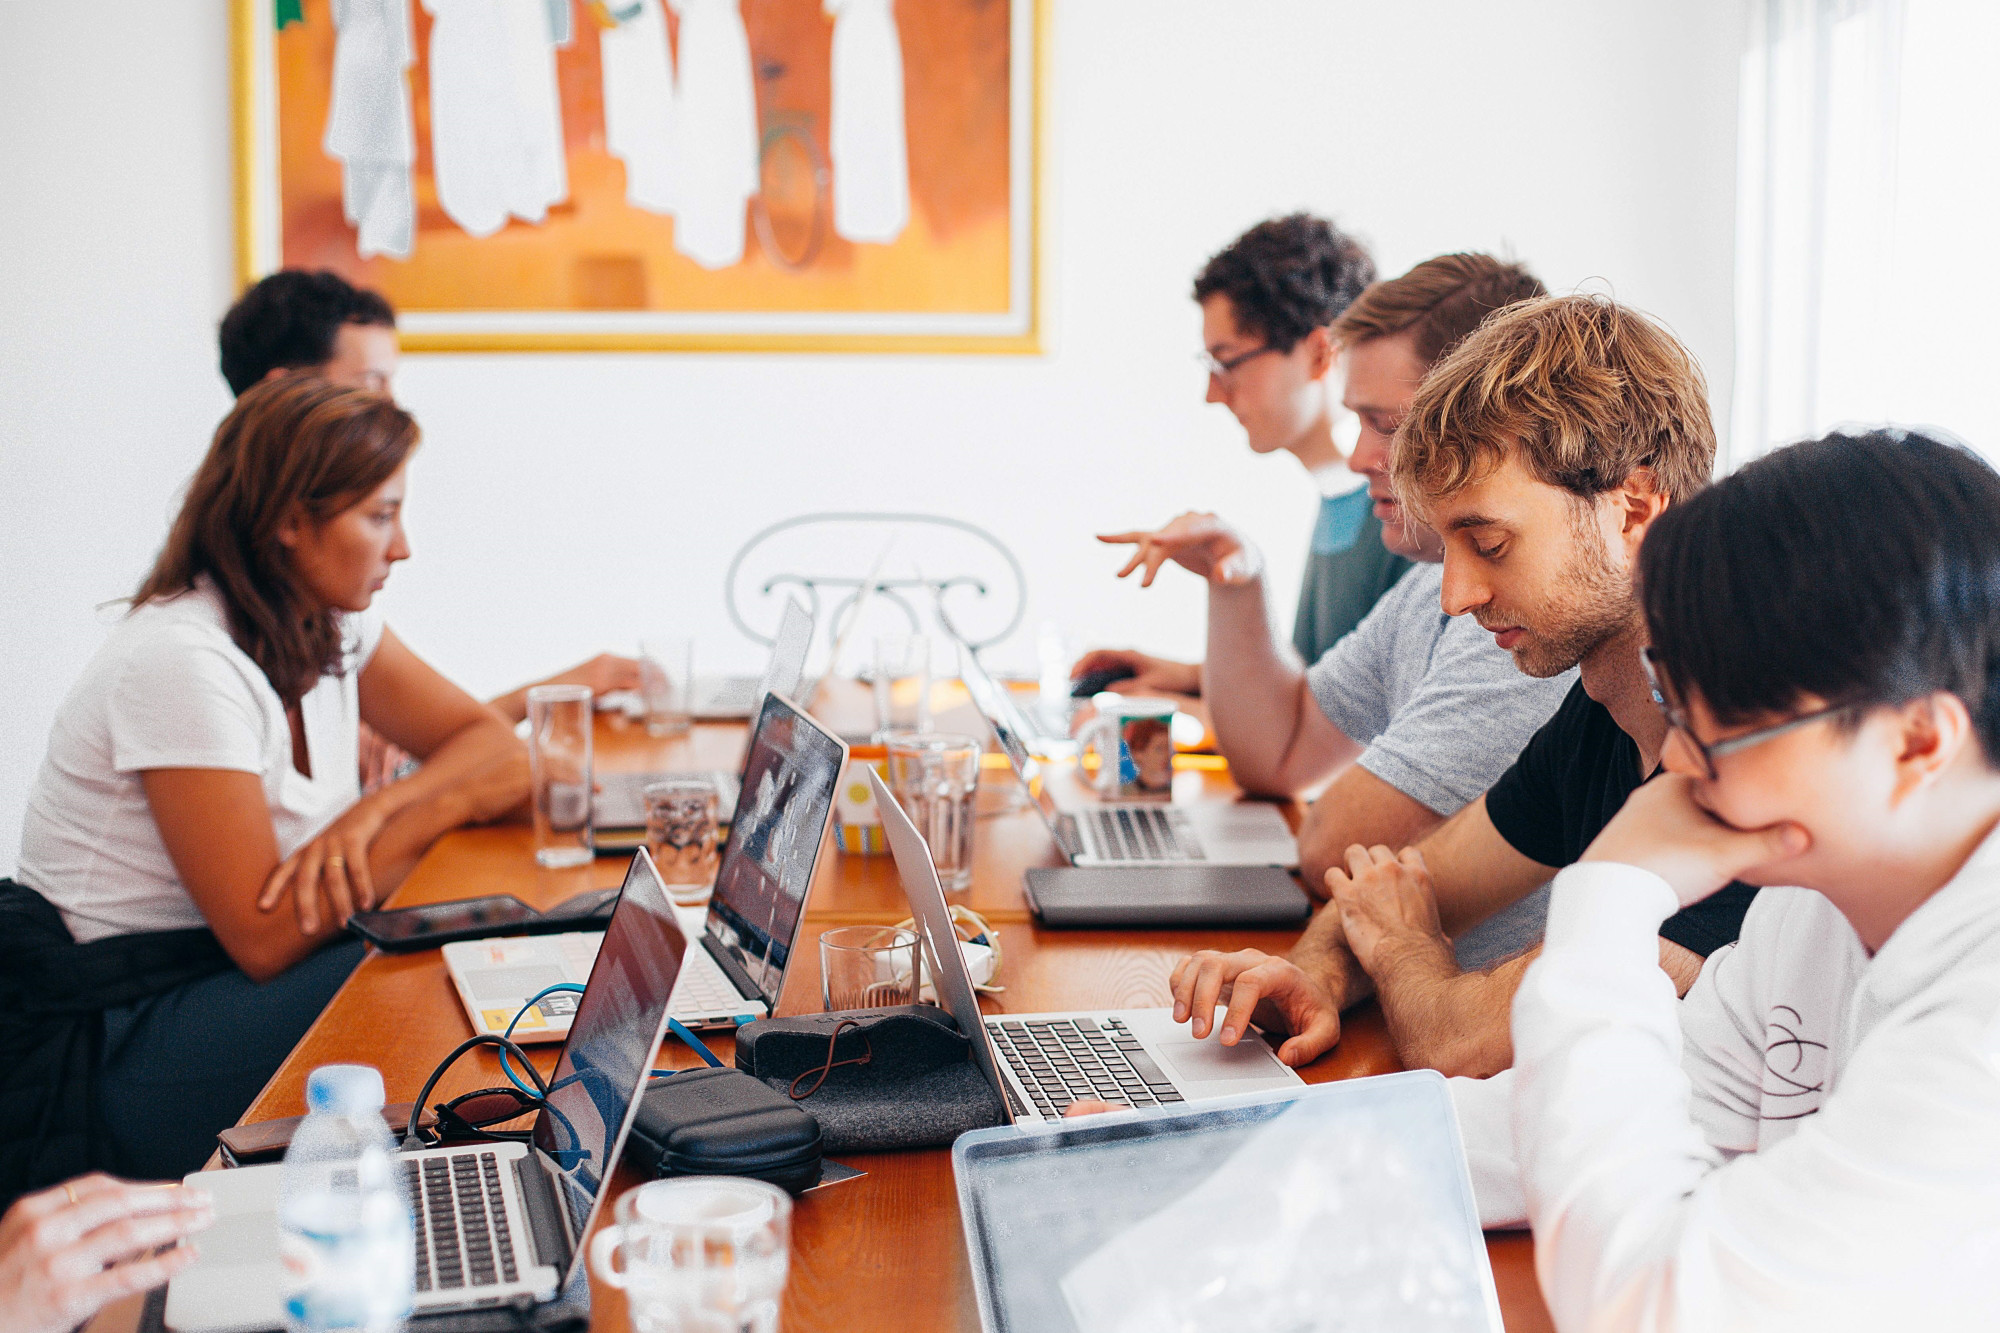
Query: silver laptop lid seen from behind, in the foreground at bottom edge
column 1337, row 1206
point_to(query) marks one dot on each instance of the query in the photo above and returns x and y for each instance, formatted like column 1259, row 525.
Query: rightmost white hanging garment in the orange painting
column 871, row 153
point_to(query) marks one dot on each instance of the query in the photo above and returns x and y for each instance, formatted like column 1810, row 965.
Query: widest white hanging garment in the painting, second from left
column 495, row 113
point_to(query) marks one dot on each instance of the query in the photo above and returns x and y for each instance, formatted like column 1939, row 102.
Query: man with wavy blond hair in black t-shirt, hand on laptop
column 1541, row 451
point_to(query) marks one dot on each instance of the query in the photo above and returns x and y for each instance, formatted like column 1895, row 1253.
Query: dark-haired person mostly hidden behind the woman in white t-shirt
column 319, row 323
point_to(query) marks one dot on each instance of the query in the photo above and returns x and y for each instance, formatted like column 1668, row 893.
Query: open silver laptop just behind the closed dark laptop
column 1127, row 832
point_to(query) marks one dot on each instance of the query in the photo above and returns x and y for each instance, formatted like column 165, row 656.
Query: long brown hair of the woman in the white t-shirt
column 293, row 445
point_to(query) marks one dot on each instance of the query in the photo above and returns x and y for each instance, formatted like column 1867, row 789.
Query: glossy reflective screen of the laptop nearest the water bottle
column 611, row 1040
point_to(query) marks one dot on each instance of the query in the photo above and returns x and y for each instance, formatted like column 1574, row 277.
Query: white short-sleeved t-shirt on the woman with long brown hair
column 171, row 690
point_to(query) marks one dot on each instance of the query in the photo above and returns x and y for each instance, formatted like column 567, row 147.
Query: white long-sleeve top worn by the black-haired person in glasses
column 1811, row 1140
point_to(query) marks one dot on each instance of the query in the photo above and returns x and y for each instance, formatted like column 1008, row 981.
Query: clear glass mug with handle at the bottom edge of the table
column 701, row 1254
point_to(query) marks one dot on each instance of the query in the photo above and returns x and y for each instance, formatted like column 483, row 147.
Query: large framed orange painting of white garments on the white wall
column 655, row 175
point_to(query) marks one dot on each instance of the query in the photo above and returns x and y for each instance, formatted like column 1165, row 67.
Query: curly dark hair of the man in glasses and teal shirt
column 1287, row 277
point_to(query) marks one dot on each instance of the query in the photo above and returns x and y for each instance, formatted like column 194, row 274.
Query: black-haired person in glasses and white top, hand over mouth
column 1811, row 1140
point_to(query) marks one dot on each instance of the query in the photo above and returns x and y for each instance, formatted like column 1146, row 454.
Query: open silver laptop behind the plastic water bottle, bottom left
column 495, row 1222
